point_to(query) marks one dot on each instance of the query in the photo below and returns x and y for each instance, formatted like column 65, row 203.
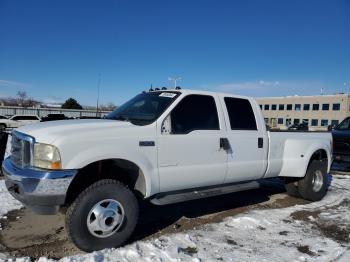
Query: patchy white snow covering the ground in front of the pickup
column 313, row 232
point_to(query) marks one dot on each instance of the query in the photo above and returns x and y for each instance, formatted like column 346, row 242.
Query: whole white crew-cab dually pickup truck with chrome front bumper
column 164, row 146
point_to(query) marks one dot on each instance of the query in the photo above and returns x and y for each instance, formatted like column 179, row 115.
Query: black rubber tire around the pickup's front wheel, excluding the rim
column 77, row 213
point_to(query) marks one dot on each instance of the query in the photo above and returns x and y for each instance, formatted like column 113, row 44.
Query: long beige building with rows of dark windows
column 317, row 111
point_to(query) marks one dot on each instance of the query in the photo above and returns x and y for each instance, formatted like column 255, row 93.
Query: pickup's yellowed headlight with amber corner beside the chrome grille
column 46, row 156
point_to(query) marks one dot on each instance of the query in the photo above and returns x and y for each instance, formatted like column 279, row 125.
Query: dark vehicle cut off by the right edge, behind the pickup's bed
column 341, row 146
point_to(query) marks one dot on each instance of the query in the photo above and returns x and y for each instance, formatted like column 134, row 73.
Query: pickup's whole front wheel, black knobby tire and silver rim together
column 103, row 216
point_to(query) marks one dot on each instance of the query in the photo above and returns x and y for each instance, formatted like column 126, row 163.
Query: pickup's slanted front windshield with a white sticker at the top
column 144, row 108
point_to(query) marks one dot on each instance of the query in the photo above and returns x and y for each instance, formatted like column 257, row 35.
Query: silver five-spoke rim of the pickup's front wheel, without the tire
column 105, row 218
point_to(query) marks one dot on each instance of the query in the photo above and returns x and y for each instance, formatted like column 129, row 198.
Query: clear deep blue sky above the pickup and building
column 56, row 49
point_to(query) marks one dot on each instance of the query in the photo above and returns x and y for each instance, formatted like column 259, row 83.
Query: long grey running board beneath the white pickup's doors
column 192, row 194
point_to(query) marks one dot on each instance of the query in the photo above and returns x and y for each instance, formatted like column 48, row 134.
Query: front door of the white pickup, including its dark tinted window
column 189, row 154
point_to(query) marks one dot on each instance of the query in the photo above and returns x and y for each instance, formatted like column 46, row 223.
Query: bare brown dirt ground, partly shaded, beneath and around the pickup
column 27, row 234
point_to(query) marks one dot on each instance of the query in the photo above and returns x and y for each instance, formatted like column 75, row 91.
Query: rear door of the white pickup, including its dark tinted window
column 248, row 157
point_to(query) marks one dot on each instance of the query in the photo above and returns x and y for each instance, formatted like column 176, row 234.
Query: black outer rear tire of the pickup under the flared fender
column 306, row 185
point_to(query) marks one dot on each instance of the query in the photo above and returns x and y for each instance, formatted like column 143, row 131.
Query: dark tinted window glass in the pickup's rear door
column 240, row 113
